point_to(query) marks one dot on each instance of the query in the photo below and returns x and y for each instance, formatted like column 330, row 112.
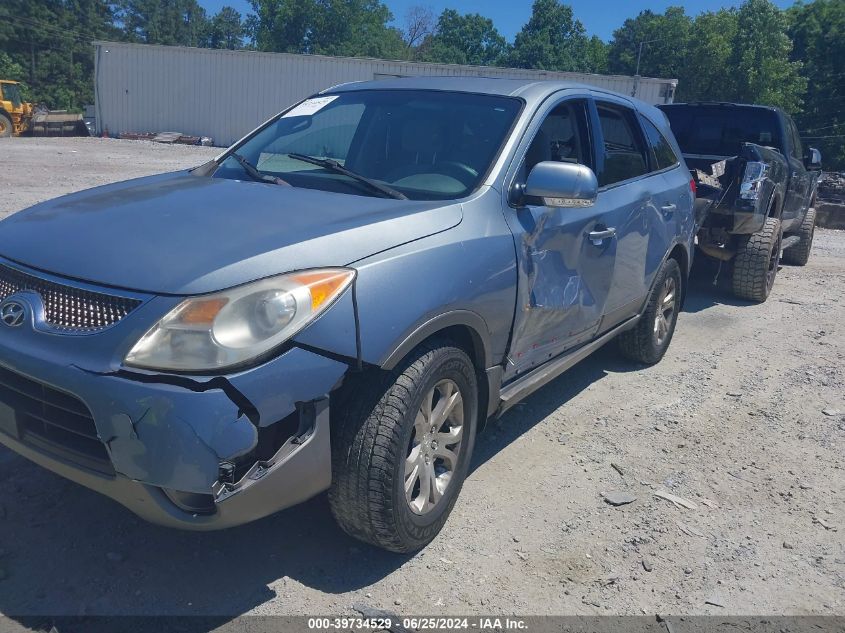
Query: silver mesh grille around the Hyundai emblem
column 67, row 308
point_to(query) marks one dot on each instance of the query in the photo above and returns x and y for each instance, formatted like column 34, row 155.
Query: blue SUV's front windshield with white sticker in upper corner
column 427, row 145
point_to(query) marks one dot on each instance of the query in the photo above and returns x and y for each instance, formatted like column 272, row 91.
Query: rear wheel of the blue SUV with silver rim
column 642, row 343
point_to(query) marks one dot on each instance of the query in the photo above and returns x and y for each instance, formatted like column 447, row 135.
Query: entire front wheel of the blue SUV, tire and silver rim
column 401, row 447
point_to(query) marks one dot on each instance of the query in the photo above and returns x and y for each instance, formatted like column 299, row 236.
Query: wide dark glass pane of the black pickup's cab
column 720, row 130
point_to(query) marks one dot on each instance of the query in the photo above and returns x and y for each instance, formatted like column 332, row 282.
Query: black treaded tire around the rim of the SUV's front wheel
column 372, row 434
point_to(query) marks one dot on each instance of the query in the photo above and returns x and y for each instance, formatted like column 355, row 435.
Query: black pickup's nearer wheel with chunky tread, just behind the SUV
column 756, row 262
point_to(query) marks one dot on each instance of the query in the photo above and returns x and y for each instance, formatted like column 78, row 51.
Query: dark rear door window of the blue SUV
column 624, row 149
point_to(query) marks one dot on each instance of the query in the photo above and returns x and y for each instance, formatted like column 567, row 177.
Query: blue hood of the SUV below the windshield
column 184, row 234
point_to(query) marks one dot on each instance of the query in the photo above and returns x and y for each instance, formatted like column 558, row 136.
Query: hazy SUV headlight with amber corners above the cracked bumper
column 228, row 328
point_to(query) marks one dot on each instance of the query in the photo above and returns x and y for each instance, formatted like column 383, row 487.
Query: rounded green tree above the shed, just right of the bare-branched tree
column 465, row 39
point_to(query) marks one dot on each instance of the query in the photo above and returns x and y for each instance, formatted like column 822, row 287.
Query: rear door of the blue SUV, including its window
column 640, row 204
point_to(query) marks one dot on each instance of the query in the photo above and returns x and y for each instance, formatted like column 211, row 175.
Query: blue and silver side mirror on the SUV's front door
column 562, row 184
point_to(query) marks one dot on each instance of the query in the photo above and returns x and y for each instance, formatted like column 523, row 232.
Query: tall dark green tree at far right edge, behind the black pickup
column 818, row 33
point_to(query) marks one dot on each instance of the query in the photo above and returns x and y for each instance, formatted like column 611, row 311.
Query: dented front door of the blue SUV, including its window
column 565, row 255
